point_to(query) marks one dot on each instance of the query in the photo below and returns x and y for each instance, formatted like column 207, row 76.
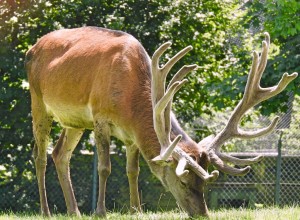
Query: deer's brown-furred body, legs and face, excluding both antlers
column 93, row 76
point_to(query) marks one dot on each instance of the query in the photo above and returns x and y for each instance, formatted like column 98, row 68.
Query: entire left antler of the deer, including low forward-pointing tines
column 162, row 103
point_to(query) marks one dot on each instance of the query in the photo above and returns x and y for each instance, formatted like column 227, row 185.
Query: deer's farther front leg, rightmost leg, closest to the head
column 132, row 167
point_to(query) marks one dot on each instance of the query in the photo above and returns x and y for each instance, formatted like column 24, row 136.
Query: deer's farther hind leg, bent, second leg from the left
column 61, row 156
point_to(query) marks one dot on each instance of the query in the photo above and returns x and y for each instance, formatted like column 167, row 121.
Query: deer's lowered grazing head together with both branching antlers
column 191, row 174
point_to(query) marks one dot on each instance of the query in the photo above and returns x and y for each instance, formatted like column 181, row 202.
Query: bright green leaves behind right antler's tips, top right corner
column 281, row 19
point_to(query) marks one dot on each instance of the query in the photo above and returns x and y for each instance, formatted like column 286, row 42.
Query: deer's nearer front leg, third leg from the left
column 102, row 138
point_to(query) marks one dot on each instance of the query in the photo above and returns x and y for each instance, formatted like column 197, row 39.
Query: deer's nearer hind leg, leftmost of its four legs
column 41, row 130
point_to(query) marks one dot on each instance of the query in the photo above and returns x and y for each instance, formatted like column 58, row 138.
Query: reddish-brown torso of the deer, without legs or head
column 84, row 72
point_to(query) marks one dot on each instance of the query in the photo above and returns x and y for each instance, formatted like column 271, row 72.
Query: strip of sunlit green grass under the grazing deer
column 273, row 213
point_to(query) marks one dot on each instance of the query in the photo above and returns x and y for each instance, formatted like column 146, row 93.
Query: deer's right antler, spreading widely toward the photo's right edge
column 253, row 95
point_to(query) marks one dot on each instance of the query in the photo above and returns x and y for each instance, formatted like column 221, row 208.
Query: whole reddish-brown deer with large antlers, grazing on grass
column 103, row 80
